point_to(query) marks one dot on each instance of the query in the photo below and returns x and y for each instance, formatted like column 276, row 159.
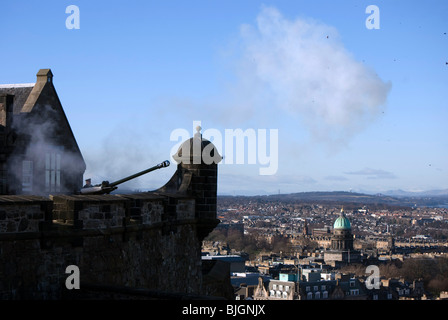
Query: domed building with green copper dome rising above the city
column 341, row 249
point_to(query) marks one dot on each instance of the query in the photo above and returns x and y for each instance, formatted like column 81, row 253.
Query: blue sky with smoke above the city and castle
column 355, row 109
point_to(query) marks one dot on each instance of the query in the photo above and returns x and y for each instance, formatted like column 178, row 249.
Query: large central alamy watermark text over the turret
column 233, row 147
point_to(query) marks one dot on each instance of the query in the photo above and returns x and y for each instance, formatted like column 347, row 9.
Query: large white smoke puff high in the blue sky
column 301, row 68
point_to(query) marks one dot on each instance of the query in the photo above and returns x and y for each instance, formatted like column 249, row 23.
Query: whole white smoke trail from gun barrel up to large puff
column 290, row 75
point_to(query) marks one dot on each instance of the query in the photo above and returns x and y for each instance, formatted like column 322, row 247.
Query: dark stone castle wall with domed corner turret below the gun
column 120, row 243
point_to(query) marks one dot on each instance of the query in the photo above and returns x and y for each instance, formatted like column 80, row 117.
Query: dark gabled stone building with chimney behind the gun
column 39, row 154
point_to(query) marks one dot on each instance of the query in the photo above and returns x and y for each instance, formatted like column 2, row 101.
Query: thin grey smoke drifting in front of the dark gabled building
column 42, row 162
